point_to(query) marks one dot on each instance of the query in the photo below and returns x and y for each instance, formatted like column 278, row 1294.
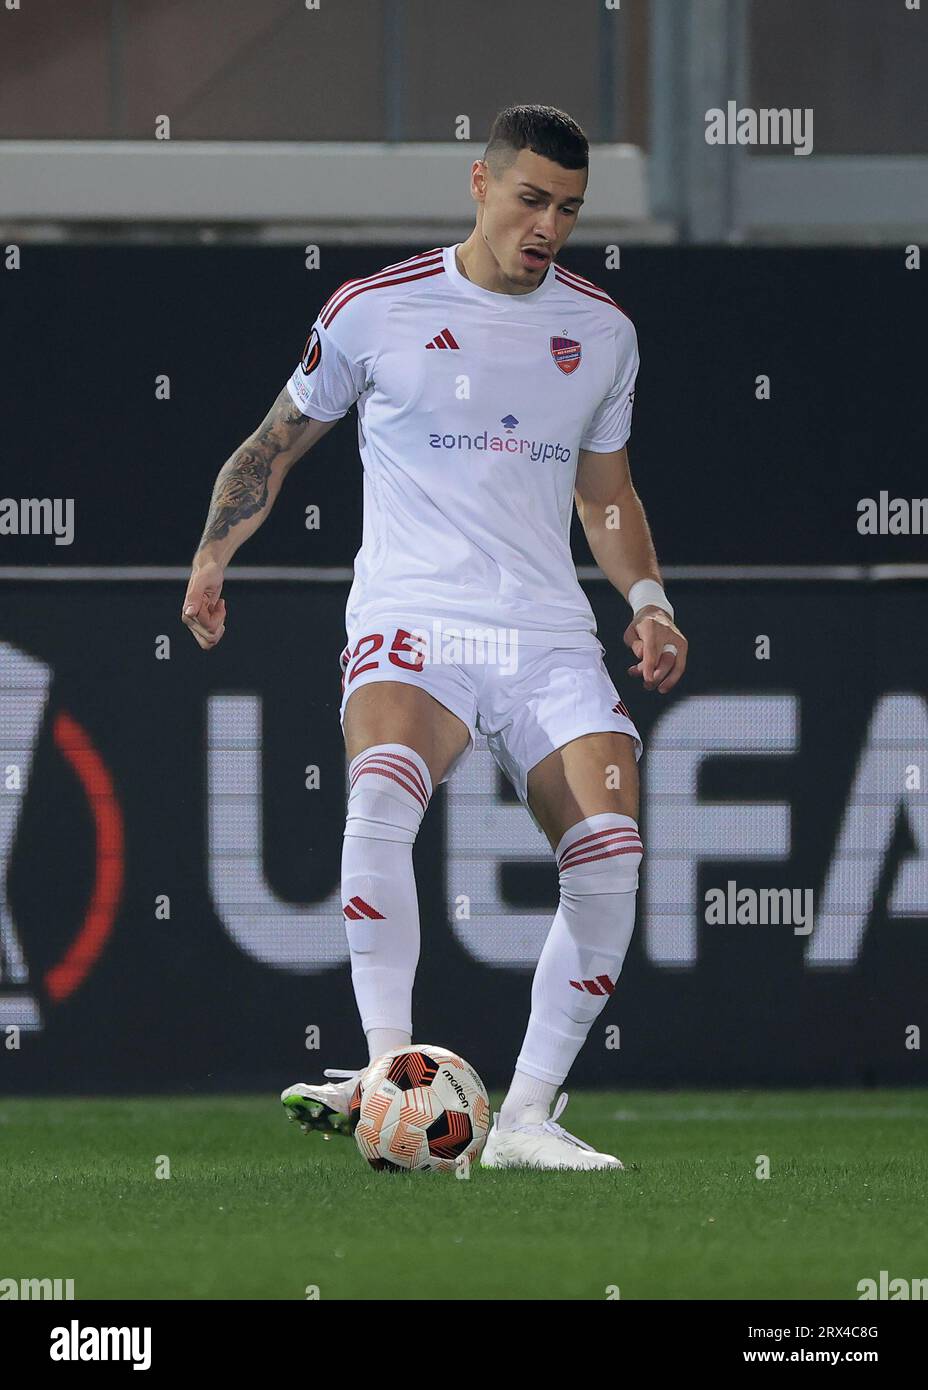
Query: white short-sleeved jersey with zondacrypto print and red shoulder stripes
column 472, row 411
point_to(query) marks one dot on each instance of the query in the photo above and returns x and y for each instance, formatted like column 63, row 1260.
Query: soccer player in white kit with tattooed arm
column 494, row 390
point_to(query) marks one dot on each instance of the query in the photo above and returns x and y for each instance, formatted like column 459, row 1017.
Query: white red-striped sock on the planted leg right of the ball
column 583, row 957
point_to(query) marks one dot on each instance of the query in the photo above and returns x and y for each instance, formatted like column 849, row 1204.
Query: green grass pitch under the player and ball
column 256, row 1210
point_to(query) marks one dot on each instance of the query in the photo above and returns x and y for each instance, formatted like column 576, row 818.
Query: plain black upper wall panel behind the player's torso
column 726, row 479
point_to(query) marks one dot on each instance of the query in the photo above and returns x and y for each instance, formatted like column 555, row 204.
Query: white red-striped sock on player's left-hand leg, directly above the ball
column 390, row 789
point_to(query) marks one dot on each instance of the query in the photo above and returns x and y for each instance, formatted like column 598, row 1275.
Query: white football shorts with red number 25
column 526, row 704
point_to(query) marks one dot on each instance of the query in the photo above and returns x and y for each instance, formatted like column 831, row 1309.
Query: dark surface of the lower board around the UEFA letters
column 169, row 1006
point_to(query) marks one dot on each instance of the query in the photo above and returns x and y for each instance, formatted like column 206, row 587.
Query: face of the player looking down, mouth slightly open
column 529, row 212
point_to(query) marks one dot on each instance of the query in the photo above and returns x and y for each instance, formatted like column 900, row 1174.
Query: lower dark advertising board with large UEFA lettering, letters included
column 131, row 792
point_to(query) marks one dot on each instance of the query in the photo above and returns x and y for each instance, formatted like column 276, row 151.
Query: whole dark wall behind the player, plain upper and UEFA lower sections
column 127, row 797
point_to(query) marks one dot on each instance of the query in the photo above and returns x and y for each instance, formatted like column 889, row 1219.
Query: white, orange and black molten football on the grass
column 422, row 1110
